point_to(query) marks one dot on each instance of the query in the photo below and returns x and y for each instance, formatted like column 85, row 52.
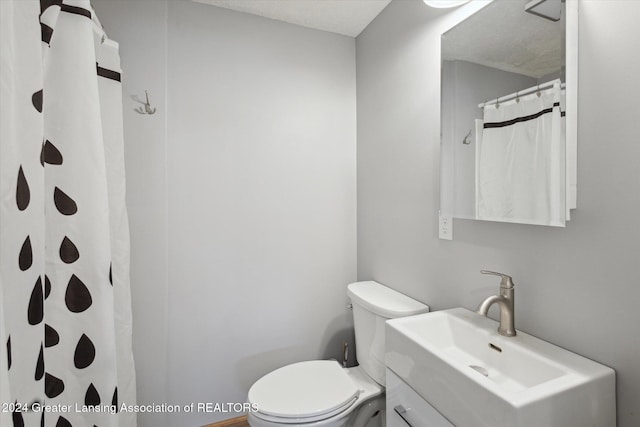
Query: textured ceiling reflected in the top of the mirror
column 504, row 36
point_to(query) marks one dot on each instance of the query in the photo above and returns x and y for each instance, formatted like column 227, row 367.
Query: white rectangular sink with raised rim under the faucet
column 456, row 360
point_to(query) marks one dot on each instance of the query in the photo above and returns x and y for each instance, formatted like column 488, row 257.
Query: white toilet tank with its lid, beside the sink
column 373, row 304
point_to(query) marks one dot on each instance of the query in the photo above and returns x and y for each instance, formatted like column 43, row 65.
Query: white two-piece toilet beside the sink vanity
column 321, row 393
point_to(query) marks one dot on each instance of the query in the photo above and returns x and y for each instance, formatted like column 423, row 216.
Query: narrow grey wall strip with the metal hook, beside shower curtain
column 140, row 27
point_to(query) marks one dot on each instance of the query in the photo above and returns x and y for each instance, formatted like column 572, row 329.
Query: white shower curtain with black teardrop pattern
column 65, row 318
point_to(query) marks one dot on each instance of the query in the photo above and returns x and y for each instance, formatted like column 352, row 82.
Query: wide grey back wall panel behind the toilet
column 262, row 199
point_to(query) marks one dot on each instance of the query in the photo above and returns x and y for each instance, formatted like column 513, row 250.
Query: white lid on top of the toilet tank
column 384, row 301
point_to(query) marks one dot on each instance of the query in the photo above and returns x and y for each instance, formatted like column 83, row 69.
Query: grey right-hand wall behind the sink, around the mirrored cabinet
column 576, row 287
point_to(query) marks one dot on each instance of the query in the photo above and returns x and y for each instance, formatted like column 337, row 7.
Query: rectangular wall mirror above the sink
column 508, row 115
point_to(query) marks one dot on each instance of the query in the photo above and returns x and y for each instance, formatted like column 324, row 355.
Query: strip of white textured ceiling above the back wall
column 346, row 17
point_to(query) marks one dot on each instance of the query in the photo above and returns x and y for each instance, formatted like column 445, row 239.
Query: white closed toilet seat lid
column 303, row 392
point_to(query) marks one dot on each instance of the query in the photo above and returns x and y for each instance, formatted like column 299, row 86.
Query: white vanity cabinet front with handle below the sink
column 405, row 407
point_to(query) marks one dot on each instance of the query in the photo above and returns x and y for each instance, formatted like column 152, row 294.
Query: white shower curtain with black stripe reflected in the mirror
column 520, row 161
